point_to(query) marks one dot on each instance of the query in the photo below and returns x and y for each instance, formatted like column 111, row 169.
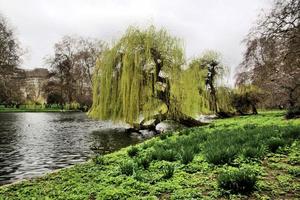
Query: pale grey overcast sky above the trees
column 202, row 24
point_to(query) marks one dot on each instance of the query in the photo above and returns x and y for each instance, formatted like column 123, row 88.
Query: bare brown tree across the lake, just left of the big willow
column 72, row 65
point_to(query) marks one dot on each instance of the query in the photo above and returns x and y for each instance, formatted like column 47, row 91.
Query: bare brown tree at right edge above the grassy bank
column 272, row 58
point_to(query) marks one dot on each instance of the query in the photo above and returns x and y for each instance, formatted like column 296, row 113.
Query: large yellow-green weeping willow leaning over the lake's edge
column 141, row 78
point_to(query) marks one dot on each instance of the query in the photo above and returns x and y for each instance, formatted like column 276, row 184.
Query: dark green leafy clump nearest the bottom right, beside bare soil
column 238, row 180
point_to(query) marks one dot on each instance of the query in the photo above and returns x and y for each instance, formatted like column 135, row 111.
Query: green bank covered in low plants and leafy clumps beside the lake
column 256, row 157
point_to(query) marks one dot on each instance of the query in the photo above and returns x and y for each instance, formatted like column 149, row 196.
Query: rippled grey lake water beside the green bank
column 32, row 144
